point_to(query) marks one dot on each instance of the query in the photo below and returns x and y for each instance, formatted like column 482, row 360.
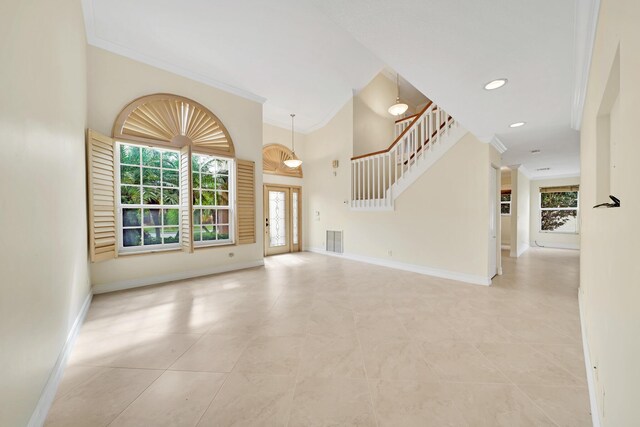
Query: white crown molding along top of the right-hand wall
column 585, row 25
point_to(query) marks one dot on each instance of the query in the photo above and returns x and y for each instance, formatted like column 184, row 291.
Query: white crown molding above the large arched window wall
column 94, row 40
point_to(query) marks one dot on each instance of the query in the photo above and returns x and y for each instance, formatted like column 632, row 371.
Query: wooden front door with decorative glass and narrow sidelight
column 281, row 219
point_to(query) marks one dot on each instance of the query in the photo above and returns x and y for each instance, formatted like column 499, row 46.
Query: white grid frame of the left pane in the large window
column 124, row 250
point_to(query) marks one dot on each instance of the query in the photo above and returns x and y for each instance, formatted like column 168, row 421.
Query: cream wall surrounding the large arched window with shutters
column 113, row 82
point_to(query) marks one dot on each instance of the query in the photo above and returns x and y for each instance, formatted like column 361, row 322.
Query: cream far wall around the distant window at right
column 553, row 240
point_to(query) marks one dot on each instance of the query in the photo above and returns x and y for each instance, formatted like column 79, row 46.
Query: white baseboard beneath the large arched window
column 154, row 280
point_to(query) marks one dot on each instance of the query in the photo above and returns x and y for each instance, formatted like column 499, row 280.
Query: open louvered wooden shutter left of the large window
column 101, row 181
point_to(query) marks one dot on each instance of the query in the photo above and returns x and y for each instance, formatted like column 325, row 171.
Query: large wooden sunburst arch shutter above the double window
column 173, row 121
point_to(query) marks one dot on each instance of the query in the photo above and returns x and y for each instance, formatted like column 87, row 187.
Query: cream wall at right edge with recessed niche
column 610, row 271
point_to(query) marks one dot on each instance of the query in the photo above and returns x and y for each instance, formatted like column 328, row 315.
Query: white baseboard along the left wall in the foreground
column 51, row 387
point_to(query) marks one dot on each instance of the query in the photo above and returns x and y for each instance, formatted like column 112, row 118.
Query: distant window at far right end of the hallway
column 559, row 210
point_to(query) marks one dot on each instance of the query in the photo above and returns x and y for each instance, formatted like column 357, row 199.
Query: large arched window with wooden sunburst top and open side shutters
column 174, row 181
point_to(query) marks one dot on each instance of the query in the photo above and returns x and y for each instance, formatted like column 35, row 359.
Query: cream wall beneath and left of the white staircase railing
column 436, row 226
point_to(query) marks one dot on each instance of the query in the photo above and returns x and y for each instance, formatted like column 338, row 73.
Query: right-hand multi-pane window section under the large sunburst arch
column 211, row 199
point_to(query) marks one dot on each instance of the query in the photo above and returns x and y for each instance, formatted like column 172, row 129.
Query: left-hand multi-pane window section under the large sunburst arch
column 149, row 197
